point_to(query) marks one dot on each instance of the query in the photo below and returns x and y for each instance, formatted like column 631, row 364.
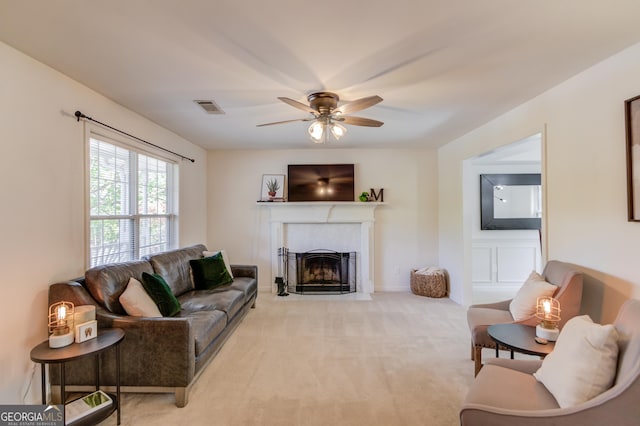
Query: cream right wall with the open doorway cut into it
column 585, row 182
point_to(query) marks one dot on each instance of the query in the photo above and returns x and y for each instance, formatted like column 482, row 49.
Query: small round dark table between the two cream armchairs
column 518, row 338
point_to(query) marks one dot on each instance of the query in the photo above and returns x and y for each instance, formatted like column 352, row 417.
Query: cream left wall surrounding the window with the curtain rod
column 42, row 188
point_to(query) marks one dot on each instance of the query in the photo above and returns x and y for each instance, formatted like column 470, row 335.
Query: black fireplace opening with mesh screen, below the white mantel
column 320, row 271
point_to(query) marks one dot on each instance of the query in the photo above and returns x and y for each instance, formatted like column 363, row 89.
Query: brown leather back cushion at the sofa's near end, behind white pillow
column 107, row 282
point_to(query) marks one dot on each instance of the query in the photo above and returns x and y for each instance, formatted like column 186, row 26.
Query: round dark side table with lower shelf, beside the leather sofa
column 107, row 338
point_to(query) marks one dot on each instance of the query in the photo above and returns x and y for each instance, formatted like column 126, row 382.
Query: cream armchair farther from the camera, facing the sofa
column 480, row 317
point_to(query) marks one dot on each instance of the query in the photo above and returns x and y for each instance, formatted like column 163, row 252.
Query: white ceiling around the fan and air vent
column 443, row 67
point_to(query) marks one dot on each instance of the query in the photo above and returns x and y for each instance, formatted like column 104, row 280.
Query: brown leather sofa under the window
column 158, row 354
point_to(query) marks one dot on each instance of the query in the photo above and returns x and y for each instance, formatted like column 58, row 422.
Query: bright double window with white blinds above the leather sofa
column 131, row 203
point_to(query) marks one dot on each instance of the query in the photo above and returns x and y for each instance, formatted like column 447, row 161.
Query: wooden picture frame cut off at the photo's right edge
column 632, row 128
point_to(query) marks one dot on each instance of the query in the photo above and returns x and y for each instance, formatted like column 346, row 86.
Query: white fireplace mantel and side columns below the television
column 319, row 212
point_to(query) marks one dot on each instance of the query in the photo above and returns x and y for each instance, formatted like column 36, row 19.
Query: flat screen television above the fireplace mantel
column 320, row 182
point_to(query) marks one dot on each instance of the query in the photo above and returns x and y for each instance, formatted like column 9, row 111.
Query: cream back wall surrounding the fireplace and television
column 405, row 228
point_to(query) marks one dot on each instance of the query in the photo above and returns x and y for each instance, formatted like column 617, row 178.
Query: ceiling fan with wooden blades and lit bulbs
column 327, row 116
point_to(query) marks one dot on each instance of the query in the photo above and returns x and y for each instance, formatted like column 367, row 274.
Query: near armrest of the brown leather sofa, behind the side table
column 156, row 351
